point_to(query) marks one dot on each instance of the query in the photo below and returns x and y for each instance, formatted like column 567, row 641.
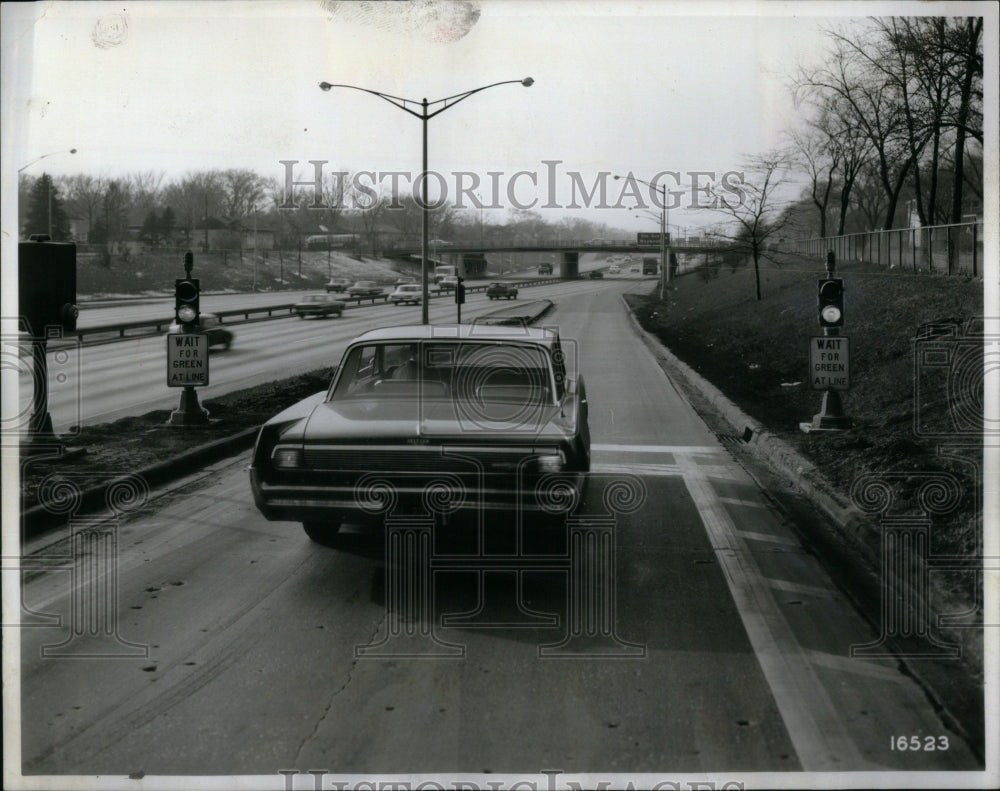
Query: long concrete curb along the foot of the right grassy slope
column 856, row 556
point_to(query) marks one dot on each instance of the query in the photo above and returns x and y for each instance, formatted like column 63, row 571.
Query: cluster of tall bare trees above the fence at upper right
column 893, row 115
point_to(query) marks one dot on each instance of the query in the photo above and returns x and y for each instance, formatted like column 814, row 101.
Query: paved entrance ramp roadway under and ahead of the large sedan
column 726, row 648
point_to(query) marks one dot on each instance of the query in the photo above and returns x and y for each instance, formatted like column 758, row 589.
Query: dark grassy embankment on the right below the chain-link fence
column 757, row 354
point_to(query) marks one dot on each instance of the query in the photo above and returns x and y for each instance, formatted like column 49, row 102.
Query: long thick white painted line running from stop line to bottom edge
column 814, row 726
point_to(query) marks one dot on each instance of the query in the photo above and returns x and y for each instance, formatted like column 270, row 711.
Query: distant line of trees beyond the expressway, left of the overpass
column 110, row 210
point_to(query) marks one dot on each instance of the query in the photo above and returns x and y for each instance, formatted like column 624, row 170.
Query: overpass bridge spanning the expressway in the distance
column 470, row 258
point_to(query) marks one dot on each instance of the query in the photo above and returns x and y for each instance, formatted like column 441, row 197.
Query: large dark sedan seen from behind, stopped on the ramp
column 433, row 420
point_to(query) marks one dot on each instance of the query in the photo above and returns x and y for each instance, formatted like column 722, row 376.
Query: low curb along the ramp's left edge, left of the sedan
column 38, row 519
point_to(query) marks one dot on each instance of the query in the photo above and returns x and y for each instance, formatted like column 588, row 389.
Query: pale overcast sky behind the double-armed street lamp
column 641, row 87
